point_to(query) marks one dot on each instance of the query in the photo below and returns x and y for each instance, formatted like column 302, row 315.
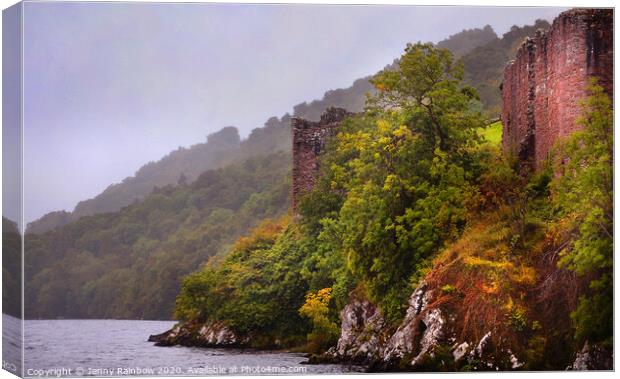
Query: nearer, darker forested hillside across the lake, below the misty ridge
column 128, row 264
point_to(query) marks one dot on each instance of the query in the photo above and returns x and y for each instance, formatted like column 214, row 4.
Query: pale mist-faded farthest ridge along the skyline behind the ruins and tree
column 224, row 146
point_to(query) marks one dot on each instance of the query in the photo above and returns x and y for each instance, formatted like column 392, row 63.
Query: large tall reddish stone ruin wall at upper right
column 544, row 85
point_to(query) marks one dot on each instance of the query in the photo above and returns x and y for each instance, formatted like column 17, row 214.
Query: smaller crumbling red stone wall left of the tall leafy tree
column 309, row 139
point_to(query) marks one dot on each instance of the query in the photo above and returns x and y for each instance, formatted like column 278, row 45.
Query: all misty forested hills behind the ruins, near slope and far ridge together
column 129, row 263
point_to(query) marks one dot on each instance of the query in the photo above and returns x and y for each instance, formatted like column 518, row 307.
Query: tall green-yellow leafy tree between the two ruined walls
column 406, row 175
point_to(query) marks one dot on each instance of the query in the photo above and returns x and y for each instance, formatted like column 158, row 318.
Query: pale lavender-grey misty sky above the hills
column 111, row 86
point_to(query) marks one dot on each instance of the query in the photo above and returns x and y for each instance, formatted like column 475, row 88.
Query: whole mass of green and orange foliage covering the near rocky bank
column 414, row 190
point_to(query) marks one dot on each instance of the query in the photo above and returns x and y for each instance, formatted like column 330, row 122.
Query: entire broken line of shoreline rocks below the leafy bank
column 424, row 341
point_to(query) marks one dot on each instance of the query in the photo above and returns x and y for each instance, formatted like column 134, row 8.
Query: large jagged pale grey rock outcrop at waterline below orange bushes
column 424, row 340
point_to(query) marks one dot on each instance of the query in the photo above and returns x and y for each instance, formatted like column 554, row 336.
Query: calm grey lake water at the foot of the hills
column 120, row 348
